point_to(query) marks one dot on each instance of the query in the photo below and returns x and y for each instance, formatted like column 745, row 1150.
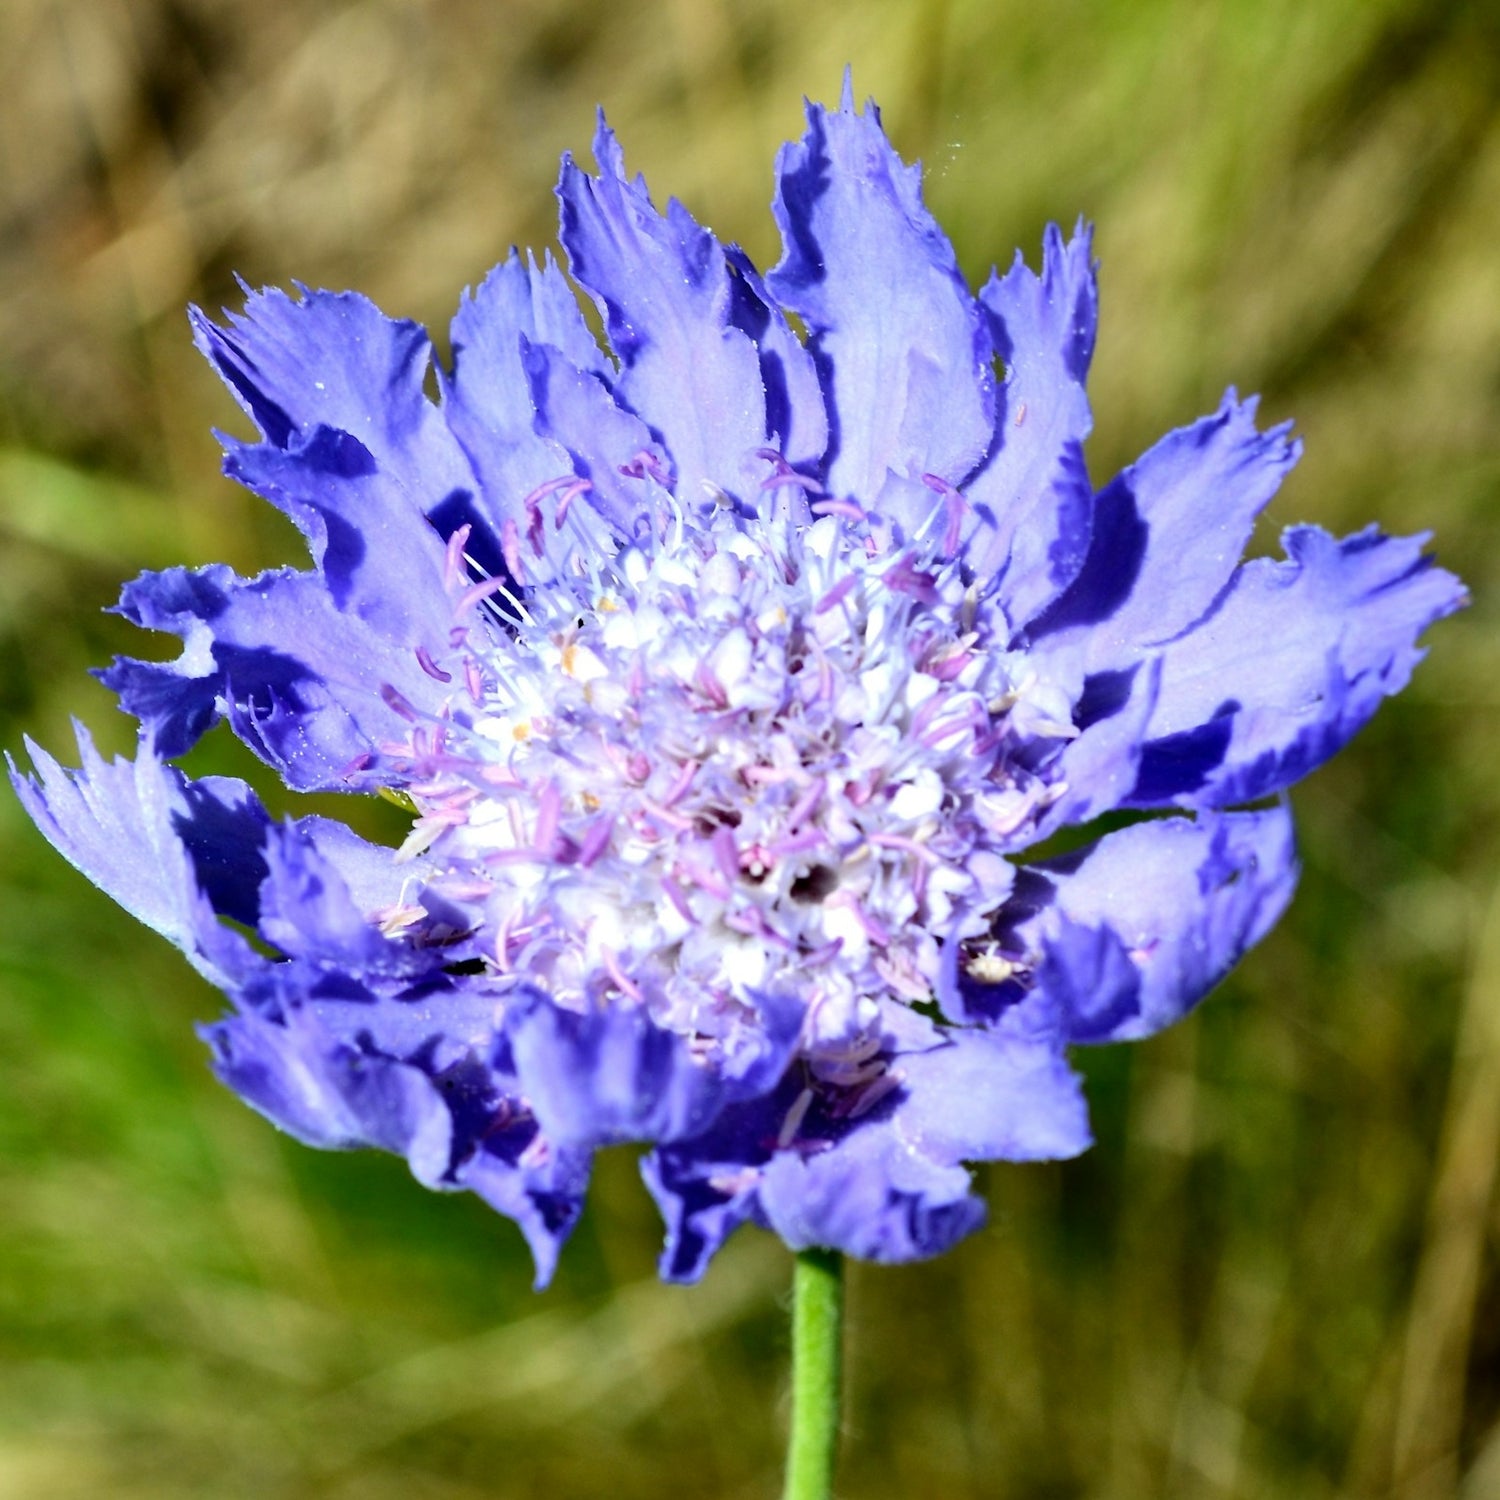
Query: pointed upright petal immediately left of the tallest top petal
column 664, row 289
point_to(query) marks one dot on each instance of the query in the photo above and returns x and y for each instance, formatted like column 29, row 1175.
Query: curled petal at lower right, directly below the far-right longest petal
column 1142, row 925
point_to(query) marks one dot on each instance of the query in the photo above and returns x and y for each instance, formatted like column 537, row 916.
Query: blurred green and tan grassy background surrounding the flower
column 1276, row 1276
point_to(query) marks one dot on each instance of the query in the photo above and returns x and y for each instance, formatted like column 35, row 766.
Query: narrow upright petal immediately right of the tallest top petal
column 1031, row 503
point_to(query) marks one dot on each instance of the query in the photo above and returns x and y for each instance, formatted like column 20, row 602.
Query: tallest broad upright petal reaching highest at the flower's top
column 901, row 346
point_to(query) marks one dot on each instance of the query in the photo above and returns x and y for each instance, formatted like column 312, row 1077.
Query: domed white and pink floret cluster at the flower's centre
column 697, row 772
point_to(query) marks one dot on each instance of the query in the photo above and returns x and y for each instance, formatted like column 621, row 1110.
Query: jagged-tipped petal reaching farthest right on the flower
column 1289, row 667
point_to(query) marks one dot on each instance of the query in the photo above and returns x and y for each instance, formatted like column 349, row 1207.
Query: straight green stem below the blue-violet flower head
column 817, row 1375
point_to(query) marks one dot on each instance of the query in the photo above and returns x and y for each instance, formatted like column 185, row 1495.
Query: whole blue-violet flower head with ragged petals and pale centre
column 734, row 679
